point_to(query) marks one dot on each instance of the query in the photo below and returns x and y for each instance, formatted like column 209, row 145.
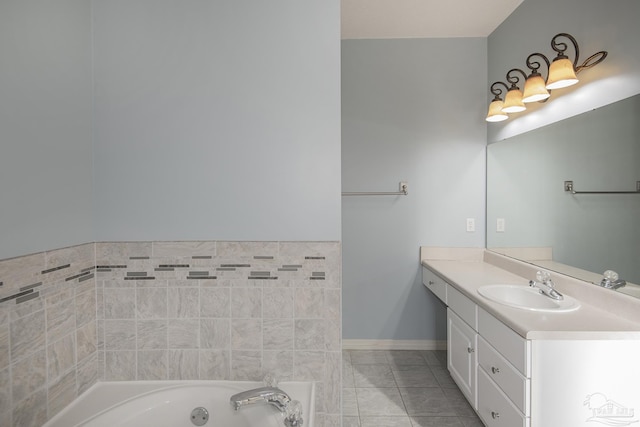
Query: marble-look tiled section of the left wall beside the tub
column 43, row 339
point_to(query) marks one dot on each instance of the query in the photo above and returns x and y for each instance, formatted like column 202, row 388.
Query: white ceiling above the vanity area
column 377, row 19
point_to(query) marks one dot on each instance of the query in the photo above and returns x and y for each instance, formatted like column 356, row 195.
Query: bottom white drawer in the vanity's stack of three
column 495, row 409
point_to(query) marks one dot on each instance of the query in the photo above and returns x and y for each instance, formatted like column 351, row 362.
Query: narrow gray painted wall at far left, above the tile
column 45, row 125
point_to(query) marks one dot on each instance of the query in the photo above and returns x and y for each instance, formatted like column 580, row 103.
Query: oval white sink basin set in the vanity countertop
column 526, row 298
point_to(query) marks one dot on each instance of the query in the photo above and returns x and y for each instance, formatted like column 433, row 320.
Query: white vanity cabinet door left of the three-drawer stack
column 461, row 358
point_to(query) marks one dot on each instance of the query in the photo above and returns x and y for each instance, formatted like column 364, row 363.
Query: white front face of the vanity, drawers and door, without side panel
column 489, row 362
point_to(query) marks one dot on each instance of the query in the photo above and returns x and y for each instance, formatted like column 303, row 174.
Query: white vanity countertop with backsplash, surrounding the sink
column 603, row 314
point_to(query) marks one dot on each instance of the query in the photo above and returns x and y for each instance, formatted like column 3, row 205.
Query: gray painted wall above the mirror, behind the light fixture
column 597, row 25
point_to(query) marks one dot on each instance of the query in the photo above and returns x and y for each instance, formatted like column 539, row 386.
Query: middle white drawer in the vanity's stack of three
column 512, row 383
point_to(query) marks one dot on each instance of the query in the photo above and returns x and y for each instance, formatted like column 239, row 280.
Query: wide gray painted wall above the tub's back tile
column 217, row 120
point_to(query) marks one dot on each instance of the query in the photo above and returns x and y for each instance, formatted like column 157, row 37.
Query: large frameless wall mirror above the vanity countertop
column 530, row 215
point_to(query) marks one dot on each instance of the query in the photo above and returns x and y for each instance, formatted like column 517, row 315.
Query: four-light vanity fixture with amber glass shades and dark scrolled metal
column 561, row 72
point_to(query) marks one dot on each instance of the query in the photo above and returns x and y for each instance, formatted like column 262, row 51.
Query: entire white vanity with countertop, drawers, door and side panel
column 576, row 369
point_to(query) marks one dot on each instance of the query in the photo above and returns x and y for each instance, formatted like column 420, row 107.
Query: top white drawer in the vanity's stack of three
column 512, row 346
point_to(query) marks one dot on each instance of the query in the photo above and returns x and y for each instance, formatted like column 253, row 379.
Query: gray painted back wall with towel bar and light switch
column 412, row 110
